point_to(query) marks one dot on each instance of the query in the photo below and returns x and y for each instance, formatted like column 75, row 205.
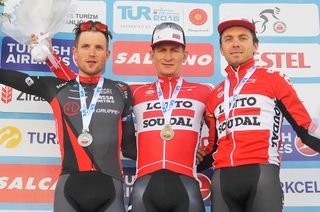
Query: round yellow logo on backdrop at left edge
column 10, row 137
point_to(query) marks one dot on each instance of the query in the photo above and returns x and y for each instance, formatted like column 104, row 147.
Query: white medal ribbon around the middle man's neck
column 167, row 108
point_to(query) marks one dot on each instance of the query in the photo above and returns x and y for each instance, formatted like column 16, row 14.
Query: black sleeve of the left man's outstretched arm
column 34, row 85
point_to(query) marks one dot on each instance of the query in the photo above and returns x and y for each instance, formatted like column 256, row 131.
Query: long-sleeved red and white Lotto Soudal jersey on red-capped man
column 252, row 132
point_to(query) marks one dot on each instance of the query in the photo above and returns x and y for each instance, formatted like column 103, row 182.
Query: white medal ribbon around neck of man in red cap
column 228, row 106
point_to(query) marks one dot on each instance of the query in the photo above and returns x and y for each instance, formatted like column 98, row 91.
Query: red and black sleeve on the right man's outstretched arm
column 293, row 110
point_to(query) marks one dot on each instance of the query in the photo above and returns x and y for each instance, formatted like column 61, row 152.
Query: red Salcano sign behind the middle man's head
column 133, row 59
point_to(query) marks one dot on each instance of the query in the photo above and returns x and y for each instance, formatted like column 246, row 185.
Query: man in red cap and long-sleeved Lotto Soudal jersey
column 244, row 114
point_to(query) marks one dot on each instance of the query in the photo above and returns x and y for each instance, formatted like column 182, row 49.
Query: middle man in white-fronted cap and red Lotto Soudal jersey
column 169, row 115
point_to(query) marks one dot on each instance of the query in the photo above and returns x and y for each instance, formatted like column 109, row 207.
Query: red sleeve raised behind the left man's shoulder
column 62, row 71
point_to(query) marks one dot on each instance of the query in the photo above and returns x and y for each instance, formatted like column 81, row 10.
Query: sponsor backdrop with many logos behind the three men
column 289, row 42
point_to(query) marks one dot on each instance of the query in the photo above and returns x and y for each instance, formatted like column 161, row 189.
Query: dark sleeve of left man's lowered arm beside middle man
column 128, row 144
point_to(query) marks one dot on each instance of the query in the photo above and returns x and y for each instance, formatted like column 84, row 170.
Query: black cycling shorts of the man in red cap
column 249, row 188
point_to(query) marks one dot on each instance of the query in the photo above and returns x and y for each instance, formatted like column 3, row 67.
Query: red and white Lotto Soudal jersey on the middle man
column 178, row 154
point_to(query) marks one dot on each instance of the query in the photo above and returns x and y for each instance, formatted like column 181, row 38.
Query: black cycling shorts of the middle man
column 166, row 191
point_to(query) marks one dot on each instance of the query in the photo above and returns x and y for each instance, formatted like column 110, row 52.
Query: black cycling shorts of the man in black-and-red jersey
column 88, row 192
